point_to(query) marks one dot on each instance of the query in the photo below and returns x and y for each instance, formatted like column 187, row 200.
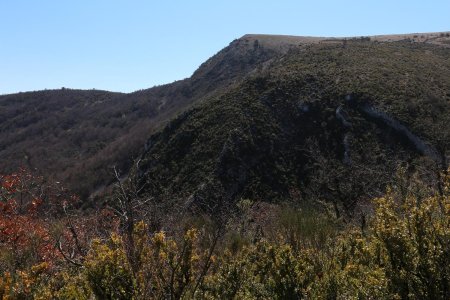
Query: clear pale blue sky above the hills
column 125, row 45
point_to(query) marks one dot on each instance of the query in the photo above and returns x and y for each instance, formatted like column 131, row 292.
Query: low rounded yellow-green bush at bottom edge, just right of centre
column 261, row 271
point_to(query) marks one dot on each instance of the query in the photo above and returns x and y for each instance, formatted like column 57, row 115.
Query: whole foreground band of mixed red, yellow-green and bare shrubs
column 49, row 250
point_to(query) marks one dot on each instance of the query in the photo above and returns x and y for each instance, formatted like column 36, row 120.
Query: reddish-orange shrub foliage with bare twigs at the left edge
column 37, row 220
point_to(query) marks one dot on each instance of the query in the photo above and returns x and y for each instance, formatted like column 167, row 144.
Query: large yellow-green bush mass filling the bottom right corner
column 405, row 254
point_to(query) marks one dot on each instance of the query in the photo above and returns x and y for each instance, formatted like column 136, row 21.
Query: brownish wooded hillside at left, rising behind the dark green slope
column 77, row 137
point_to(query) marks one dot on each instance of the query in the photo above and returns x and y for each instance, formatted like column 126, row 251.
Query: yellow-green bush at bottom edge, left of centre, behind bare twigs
column 163, row 268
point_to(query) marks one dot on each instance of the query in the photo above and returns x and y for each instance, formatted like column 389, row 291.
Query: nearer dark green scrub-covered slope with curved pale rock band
column 330, row 120
